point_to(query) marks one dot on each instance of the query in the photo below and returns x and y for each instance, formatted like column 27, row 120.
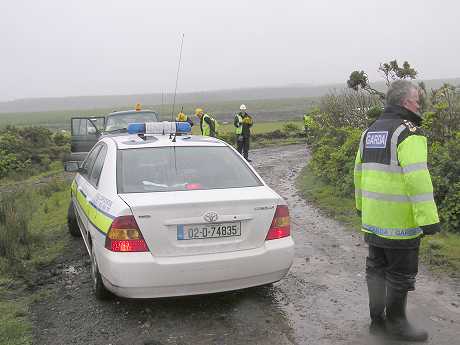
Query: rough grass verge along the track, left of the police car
column 48, row 234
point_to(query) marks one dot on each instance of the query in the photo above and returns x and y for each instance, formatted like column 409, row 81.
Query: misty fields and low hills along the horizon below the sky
column 265, row 103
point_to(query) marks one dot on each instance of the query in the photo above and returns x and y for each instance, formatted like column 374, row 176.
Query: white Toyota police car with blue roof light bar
column 169, row 215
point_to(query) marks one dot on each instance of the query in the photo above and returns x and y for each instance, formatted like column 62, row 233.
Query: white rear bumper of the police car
column 141, row 275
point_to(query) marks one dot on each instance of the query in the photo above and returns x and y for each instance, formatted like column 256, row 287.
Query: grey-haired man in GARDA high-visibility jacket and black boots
column 394, row 196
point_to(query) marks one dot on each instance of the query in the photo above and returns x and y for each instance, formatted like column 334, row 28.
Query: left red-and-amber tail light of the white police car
column 124, row 236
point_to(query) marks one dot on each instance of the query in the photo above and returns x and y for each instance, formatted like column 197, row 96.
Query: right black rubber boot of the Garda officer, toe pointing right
column 397, row 326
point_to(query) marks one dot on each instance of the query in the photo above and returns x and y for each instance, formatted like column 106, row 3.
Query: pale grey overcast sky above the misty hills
column 99, row 47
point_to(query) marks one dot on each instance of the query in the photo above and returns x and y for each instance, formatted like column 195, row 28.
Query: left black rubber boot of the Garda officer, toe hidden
column 376, row 289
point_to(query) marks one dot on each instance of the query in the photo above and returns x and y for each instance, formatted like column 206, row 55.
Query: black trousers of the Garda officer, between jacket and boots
column 396, row 268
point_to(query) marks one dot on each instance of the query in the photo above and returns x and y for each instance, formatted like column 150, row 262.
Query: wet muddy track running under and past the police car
column 322, row 301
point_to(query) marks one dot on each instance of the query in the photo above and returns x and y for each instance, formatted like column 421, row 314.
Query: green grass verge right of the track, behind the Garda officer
column 440, row 252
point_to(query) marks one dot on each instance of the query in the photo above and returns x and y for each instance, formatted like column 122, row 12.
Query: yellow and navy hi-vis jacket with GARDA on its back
column 393, row 190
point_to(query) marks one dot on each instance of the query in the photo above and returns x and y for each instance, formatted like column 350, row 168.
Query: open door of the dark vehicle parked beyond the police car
column 86, row 132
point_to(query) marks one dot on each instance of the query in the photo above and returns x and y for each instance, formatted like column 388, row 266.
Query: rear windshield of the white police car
column 164, row 169
